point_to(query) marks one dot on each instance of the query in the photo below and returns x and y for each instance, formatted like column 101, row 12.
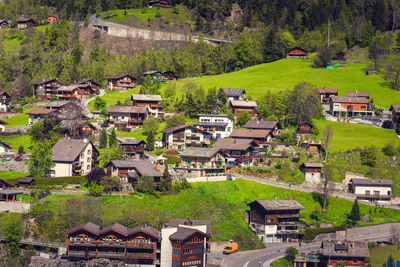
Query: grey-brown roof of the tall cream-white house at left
column 67, row 150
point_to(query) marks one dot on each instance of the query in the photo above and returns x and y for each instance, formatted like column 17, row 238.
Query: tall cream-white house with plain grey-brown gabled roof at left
column 73, row 157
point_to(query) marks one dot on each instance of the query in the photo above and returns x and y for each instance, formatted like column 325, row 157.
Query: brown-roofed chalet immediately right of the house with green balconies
column 237, row 150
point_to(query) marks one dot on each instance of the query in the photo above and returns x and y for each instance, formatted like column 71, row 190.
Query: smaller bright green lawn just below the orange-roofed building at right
column 350, row 135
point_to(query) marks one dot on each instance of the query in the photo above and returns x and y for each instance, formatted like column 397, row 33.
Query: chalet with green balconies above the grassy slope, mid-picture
column 201, row 162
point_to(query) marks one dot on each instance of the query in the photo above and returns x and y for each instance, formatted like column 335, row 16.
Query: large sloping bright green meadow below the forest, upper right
column 286, row 73
